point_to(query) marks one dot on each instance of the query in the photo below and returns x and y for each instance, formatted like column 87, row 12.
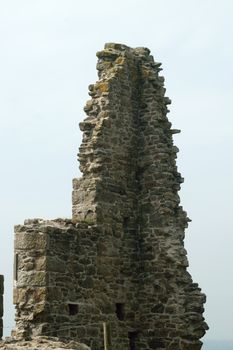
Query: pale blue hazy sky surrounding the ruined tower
column 47, row 61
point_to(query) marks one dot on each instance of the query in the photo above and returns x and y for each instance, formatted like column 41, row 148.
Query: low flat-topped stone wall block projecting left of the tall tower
column 69, row 287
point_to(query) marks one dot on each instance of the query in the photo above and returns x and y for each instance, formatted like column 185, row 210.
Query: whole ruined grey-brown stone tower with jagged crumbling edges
column 121, row 258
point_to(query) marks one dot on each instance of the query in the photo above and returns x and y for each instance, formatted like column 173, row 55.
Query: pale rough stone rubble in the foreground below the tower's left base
column 41, row 343
